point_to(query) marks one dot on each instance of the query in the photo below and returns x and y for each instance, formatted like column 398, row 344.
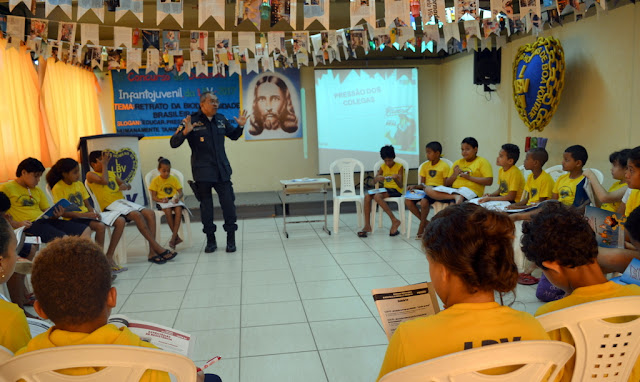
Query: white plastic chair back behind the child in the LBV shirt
column 537, row 358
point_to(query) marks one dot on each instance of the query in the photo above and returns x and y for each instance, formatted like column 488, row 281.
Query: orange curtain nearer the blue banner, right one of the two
column 70, row 106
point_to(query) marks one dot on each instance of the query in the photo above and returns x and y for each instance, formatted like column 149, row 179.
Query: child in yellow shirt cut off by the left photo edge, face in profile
column 14, row 330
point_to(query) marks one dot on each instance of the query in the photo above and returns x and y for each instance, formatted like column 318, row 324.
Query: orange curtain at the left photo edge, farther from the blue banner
column 20, row 119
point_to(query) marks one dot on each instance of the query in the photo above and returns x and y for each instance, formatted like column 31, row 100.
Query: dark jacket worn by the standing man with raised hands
column 209, row 161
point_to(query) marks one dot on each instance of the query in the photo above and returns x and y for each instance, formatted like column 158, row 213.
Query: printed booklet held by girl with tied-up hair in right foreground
column 397, row 305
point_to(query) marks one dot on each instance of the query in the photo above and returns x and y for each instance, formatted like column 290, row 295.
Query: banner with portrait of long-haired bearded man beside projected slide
column 273, row 102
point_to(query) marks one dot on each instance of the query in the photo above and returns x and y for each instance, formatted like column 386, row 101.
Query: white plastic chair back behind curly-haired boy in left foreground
column 122, row 363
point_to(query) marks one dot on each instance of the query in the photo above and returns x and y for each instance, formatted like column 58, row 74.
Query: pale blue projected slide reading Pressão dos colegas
column 361, row 110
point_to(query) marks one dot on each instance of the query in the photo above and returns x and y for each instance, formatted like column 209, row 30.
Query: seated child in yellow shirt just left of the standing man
column 164, row 188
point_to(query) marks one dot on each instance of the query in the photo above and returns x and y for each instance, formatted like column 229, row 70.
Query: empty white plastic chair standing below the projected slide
column 347, row 167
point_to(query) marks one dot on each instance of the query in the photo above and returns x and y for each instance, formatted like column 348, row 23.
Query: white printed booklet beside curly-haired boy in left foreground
column 165, row 338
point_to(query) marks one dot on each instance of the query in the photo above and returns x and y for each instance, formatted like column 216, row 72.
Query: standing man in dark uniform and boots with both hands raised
column 205, row 130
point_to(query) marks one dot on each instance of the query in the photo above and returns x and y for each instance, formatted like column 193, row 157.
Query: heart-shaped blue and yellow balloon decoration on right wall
column 538, row 79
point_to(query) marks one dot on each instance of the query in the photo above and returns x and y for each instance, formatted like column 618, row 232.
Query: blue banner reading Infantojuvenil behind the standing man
column 155, row 104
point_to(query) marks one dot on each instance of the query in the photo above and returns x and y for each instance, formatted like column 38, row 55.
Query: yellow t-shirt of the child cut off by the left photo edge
column 14, row 331
